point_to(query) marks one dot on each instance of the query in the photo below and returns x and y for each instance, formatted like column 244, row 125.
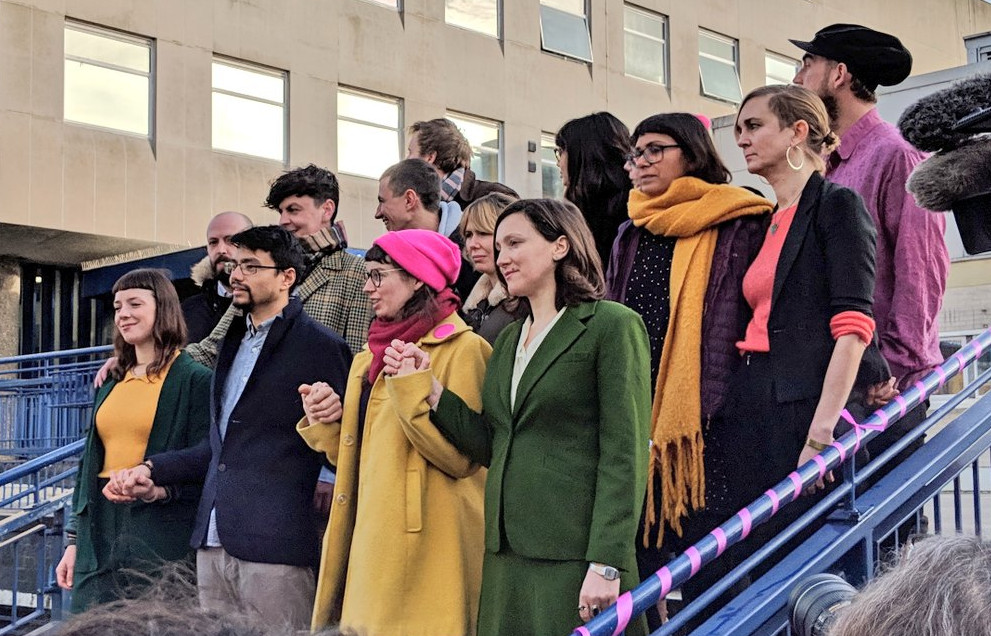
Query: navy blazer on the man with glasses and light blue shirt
column 262, row 475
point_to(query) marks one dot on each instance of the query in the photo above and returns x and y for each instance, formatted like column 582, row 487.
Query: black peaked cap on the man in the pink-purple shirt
column 873, row 57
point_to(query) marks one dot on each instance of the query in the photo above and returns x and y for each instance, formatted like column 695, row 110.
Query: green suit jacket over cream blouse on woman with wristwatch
column 568, row 464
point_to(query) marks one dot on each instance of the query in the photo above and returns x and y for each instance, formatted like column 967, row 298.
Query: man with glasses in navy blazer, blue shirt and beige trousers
column 255, row 538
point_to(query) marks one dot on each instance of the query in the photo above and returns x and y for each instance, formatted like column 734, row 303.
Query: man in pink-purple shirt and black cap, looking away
column 844, row 64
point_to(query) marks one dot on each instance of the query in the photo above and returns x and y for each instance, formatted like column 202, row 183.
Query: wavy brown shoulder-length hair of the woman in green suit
column 578, row 275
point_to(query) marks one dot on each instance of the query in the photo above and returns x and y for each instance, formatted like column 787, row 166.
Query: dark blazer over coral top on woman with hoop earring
column 826, row 267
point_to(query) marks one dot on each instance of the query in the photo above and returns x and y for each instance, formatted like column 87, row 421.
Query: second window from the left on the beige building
column 249, row 110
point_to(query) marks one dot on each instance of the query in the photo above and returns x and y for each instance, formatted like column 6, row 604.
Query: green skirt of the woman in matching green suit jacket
column 537, row 597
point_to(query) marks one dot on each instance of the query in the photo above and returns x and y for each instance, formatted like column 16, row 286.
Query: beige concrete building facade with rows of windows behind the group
column 336, row 82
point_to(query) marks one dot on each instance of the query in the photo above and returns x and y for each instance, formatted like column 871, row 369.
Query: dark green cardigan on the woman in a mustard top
column 182, row 419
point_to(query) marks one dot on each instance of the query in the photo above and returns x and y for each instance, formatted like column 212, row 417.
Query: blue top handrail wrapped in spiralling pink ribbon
column 635, row 602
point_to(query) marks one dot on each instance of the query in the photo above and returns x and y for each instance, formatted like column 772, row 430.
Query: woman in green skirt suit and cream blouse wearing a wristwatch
column 566, row 414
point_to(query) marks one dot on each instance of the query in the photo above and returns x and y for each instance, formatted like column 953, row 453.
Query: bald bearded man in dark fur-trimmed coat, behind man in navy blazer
column 204, row 310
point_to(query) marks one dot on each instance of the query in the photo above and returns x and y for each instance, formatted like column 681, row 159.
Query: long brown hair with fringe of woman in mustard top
column 169, row 330
